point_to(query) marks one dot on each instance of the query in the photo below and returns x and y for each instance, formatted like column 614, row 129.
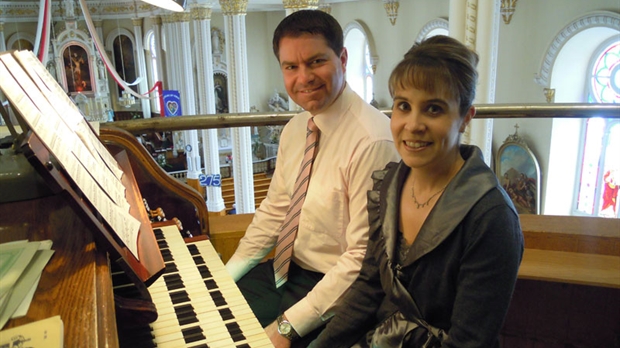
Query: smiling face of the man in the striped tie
column 314, row 76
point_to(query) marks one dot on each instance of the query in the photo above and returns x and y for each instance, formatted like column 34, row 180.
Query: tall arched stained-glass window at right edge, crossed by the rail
column 582, row 65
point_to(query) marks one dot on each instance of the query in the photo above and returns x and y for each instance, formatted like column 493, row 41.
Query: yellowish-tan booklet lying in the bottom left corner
column 45, row 333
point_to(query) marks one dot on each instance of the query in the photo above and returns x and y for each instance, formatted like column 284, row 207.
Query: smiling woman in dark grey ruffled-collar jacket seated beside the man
column 445, row 241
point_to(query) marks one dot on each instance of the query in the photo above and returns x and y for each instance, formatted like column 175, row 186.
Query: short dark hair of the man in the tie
column 314, row 22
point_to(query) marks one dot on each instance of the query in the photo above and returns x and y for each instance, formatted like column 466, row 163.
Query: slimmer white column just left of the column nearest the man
column 206, row 100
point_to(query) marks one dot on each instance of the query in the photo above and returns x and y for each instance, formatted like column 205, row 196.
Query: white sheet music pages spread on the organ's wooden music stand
column 62, row 128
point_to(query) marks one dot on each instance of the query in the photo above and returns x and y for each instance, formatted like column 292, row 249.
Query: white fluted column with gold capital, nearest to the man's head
column 238, row 95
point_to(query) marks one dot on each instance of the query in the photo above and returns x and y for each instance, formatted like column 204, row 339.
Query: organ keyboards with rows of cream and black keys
column 198, row 303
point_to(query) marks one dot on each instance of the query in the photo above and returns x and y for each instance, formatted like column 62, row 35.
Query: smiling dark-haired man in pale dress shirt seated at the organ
column 332, row 234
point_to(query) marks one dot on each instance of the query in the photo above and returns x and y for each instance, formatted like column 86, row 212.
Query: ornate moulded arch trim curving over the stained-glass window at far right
column 596, row 19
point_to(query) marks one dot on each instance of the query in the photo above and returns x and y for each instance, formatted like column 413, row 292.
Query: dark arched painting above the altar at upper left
column 77, row 69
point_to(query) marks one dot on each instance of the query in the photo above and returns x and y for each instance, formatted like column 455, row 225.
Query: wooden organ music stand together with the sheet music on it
column 66, row 151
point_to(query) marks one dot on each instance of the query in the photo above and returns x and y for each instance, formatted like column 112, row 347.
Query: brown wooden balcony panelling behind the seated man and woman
column 568, row 291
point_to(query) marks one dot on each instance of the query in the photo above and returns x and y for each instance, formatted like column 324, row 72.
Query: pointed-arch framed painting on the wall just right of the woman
column 519, row 174
